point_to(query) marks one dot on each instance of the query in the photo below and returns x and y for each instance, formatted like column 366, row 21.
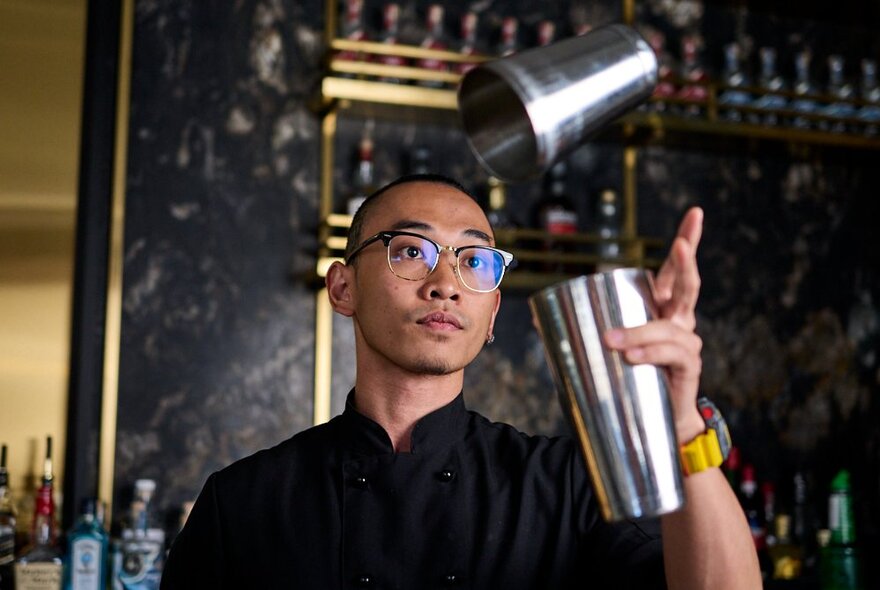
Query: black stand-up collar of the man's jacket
column 437, row 430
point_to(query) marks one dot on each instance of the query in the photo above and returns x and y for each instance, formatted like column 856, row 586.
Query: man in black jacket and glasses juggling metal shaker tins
column 407, row 489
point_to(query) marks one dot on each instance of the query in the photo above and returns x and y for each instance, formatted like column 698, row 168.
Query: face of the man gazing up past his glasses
column 433, row 326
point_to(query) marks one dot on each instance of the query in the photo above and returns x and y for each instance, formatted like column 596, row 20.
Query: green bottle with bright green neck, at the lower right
column 840, row 559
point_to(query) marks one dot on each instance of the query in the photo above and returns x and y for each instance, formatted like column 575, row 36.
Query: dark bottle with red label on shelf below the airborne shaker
column 557, row 216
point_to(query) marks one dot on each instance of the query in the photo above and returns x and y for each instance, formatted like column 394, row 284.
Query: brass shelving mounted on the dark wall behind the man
column 354, row 85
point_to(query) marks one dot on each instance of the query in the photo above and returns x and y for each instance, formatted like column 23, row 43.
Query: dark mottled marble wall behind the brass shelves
column 217, row 340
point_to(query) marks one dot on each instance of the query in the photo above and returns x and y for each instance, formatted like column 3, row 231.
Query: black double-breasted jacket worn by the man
column 474, row 504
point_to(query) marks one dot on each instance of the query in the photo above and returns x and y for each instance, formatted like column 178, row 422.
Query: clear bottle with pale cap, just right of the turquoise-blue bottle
column 142, row 550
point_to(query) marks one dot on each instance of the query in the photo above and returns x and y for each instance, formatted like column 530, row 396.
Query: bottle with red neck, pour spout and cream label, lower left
column 39, row 565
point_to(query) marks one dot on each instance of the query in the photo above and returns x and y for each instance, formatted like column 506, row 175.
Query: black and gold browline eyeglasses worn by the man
column 413, row 257
